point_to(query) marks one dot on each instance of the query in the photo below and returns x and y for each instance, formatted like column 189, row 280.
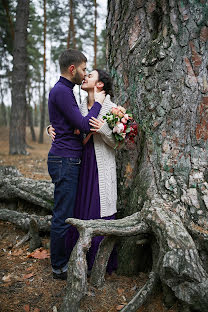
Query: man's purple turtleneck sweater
column 65, row 117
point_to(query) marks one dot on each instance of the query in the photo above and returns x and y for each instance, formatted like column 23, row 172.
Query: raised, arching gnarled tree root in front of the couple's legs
column 77, row 269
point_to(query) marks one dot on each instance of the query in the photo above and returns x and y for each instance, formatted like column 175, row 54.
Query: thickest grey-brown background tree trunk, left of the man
column 19, row 79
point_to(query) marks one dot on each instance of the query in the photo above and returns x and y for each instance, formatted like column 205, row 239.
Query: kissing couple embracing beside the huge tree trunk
column 81, row 161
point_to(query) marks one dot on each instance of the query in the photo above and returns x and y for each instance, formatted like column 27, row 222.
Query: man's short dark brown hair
column 71, row 57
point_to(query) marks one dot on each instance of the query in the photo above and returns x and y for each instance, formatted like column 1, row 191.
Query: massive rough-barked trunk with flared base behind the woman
column 157, row 53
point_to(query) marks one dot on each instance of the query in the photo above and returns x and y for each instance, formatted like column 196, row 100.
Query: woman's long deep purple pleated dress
column 88, row 205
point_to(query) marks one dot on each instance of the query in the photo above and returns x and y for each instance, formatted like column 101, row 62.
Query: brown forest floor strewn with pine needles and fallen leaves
column 26, row 283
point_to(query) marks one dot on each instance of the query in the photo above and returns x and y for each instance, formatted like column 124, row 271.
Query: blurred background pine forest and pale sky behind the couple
column 52, row 27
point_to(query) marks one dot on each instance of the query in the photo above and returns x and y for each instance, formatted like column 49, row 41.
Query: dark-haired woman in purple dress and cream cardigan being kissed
column 97, row 189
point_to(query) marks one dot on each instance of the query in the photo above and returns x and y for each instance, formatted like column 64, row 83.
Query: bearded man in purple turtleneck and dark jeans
column 65, row 154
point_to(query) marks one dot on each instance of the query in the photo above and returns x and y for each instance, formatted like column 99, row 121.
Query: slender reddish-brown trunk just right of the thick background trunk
column 43, row 106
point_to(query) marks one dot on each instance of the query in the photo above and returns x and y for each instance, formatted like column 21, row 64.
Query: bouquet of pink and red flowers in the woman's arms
column 123, row 125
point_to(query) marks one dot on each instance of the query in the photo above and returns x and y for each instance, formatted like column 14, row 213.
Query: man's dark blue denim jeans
column 64, row 172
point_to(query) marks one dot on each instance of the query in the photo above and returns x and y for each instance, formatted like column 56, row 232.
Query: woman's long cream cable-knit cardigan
column 105, row 155
